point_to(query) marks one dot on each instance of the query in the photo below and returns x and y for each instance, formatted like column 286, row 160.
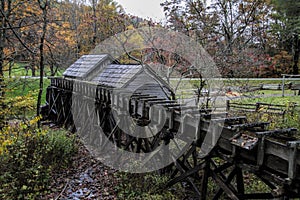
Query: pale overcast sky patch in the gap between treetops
column 144, row 8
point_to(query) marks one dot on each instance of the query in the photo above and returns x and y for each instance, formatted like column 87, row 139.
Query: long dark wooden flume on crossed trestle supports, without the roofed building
column 271, row 155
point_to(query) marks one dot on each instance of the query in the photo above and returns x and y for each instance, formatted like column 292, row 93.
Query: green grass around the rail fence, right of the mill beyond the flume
column 291, row 119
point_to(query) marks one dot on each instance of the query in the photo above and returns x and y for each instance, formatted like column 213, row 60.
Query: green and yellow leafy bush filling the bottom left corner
column 27, row 157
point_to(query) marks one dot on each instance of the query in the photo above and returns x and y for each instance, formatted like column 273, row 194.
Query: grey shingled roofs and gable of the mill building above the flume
column 101, row 69
